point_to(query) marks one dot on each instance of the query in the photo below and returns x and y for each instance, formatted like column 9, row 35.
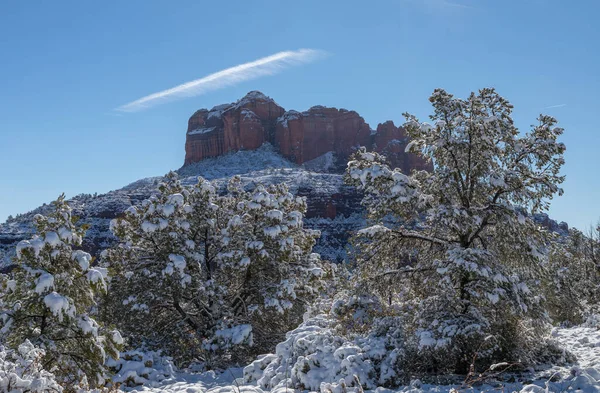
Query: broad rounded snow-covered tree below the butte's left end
column 212, row 277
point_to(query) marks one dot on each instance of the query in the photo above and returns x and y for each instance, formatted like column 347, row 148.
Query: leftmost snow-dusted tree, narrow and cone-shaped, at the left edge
column 49, row 297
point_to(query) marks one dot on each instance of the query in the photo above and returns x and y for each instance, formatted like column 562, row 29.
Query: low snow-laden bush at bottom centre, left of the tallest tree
column 315, row 354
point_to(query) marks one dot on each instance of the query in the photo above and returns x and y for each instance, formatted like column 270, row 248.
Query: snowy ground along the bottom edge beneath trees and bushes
column 583, row 376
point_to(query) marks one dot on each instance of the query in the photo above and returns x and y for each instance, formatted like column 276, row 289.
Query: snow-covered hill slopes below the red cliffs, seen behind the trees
column 333, row 207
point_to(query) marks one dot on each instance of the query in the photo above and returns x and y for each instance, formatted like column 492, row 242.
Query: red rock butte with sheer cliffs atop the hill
column 298, row 136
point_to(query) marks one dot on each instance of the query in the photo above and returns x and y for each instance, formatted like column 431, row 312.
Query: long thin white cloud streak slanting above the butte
column 269, row 65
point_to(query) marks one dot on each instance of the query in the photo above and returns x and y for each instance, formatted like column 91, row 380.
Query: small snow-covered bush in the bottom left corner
column 21, row 371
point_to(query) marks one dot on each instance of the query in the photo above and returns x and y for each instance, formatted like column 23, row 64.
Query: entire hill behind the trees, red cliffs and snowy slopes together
column 313, row 168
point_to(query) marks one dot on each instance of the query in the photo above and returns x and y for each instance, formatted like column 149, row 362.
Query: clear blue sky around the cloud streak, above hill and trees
column 66, row 67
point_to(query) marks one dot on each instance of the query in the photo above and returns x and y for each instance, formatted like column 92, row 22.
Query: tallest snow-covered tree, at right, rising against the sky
column 455, row 248
